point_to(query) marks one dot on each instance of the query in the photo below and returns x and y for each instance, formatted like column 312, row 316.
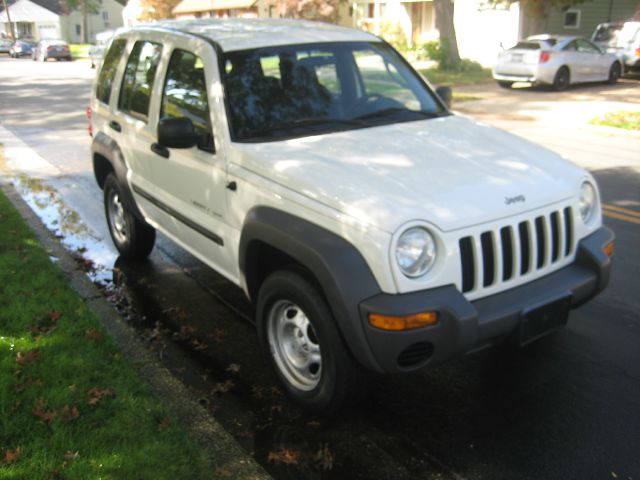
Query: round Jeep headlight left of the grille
column 415, row 252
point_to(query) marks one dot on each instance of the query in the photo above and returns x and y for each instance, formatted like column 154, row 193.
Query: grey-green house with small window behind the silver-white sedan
column 580, row 19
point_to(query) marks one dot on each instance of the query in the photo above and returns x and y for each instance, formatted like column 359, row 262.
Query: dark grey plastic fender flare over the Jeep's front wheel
column 338, row 267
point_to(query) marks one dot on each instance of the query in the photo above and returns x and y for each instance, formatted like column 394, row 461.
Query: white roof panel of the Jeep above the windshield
column 243, row 33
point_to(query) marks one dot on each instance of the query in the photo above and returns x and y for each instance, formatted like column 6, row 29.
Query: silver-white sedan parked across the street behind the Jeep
column 555, row 60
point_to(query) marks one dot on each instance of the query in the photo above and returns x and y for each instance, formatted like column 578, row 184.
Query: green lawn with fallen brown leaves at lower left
column 71, row 405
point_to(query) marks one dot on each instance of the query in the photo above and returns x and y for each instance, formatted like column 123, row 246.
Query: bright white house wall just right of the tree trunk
column 481, row 31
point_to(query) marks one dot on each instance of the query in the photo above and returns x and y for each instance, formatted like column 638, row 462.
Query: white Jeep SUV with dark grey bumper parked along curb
column 312, row 166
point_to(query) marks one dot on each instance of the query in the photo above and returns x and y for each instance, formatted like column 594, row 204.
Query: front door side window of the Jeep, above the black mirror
column 185, row 95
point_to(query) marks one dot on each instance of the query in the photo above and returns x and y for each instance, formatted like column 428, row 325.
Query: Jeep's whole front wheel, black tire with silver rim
column 299, row 335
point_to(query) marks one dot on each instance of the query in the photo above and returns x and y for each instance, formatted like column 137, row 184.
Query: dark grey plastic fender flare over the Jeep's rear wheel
column 104, row 148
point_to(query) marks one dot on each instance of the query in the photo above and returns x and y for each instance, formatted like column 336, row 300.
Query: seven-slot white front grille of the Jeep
column 515, row 250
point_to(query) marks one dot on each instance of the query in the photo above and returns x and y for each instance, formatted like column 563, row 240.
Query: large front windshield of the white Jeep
column 299, row 90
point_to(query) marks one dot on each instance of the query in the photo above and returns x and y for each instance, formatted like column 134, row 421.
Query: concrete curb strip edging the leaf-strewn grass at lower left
column 232, row 461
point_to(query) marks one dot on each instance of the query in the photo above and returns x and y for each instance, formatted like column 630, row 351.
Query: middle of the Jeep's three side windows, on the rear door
column 138, row 79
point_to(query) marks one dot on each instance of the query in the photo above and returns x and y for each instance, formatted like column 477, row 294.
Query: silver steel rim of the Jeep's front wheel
column 294, row 345
